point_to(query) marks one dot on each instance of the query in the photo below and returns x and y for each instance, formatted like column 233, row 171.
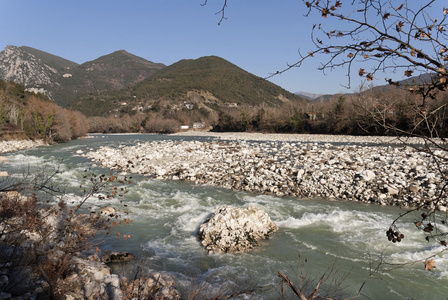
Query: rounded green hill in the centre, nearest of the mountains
column 208, row 82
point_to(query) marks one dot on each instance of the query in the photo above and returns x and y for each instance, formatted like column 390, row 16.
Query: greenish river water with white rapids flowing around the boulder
column 318, row 234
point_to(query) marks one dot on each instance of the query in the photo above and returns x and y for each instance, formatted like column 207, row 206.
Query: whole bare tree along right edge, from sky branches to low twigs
column 374, row 38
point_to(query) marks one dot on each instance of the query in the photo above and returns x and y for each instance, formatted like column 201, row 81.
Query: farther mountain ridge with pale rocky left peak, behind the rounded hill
column 63, row 80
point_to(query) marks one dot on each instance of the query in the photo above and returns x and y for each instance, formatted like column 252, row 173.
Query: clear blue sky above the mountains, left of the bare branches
column 260, row 36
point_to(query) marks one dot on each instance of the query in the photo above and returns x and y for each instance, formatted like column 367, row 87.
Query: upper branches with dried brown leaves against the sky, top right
column 368, row 37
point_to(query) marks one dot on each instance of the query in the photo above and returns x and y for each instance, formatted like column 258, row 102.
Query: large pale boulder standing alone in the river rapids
column 233, row 230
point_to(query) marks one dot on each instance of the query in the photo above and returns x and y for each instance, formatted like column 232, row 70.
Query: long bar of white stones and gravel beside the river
column 287, row 165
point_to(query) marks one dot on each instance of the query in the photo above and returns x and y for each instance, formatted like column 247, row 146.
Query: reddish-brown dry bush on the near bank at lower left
column 44, row 237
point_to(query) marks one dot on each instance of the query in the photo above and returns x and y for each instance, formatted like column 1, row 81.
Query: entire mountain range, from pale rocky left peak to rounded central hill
column 101, row 86
